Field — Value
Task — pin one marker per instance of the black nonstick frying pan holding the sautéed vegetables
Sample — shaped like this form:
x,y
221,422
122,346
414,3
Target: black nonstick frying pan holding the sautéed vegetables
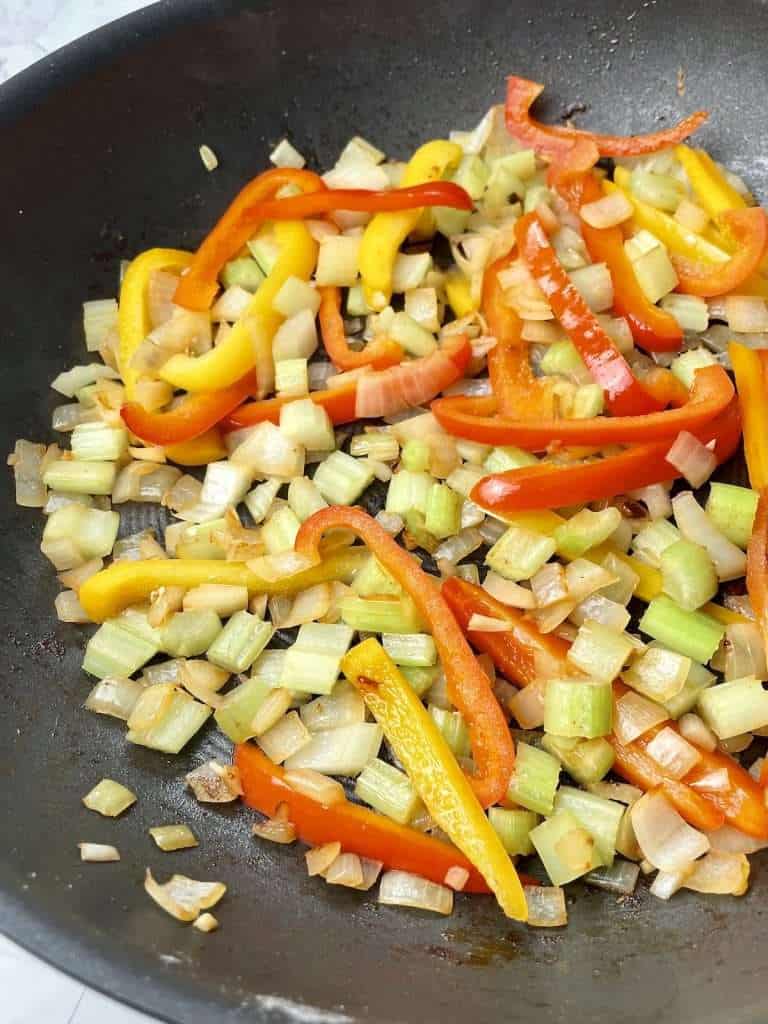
x,y
100,161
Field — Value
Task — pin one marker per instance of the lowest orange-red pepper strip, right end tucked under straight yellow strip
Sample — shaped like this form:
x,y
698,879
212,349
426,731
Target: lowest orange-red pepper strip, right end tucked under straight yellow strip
x,y
358,829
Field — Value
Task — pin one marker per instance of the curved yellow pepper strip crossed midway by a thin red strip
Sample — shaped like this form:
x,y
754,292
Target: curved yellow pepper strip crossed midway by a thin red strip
x,y
387,232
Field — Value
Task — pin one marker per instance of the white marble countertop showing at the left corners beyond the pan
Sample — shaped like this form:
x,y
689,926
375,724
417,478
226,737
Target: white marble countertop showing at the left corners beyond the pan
x,y
34,993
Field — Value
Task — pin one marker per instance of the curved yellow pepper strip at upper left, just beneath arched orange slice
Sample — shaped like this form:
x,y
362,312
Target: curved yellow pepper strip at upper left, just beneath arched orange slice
x,y
249,345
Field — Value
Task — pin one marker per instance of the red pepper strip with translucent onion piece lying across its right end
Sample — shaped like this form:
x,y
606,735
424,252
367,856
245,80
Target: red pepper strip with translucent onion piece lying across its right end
x,y
549,486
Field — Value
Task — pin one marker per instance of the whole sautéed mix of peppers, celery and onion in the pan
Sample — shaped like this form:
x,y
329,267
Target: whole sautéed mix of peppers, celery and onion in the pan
x,y
527,350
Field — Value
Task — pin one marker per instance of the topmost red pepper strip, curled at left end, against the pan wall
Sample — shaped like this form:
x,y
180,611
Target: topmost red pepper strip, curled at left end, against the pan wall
x,y
545,139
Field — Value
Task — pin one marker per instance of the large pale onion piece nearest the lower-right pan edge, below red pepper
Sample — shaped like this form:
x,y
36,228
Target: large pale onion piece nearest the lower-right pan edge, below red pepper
x,y
665,838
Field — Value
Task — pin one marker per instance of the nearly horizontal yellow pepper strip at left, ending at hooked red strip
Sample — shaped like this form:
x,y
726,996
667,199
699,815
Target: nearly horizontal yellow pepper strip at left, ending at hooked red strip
x,y
123,584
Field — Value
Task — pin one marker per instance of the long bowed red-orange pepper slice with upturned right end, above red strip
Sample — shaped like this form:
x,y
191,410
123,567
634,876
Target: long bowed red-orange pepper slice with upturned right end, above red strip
x,y
711,394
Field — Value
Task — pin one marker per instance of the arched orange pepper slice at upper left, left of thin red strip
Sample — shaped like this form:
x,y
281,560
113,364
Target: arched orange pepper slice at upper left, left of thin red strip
x,y
198,288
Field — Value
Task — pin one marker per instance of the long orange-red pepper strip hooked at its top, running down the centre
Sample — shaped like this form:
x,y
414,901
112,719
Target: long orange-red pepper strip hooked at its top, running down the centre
x,y
468,687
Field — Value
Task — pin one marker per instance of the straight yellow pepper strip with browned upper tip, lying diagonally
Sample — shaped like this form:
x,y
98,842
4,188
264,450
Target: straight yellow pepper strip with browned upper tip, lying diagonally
x,y
419,746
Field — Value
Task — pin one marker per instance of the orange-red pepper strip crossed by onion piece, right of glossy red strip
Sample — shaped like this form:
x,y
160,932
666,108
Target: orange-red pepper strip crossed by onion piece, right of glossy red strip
x,y
653,328
